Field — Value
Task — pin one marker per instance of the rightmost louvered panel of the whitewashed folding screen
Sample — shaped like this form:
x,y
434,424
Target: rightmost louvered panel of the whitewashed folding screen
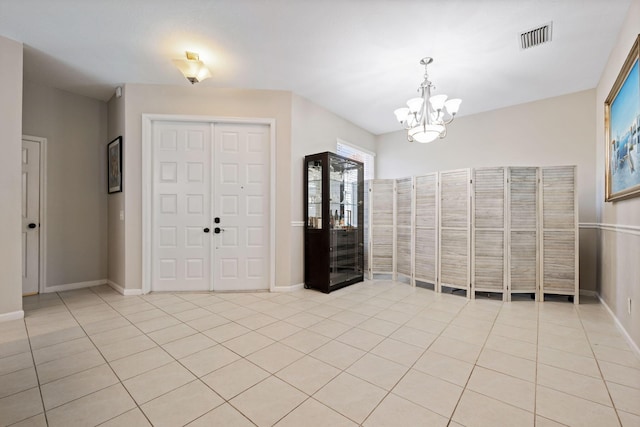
x,y
559,245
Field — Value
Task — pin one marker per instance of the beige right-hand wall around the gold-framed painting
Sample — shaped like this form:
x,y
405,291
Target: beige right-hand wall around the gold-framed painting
x,y
618,267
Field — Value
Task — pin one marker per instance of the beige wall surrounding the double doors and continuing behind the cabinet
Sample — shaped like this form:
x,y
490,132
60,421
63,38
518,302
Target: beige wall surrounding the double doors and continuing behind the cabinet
x,y
301,128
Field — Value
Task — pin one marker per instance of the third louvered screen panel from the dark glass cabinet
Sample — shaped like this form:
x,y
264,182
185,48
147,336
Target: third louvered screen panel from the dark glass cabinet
x,y
426,228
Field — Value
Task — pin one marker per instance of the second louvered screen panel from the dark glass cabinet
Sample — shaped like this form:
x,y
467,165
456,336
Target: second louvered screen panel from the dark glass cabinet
x,y
404,227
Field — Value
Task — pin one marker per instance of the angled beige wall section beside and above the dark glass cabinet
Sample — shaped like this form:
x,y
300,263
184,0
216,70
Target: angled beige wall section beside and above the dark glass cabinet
x,y
313,130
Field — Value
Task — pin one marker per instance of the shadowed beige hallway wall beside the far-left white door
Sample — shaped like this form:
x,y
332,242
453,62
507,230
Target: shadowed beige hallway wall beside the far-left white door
x,y
76,130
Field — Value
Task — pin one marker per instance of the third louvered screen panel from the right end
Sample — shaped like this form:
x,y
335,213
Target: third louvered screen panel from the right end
x,y
489,200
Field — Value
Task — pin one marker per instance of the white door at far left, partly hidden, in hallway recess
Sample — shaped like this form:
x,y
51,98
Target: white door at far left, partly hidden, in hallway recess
x,y
30,216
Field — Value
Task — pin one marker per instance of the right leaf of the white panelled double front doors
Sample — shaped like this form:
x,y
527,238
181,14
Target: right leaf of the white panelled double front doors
x,y
241,202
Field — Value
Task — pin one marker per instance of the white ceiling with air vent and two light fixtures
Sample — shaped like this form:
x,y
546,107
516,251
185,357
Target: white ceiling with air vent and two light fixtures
x,y
357,58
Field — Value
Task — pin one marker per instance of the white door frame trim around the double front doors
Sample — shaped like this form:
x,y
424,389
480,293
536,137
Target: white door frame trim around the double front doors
x,y
147,180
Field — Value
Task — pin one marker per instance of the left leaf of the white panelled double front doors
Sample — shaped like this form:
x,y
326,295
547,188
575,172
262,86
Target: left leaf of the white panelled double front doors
x,y
181,239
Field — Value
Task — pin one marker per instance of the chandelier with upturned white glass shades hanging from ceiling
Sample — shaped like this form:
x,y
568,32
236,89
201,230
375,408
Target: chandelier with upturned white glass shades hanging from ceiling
x,y
426,117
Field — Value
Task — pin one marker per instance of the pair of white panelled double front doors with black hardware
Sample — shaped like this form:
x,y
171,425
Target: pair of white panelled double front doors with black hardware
x,y
210,207
